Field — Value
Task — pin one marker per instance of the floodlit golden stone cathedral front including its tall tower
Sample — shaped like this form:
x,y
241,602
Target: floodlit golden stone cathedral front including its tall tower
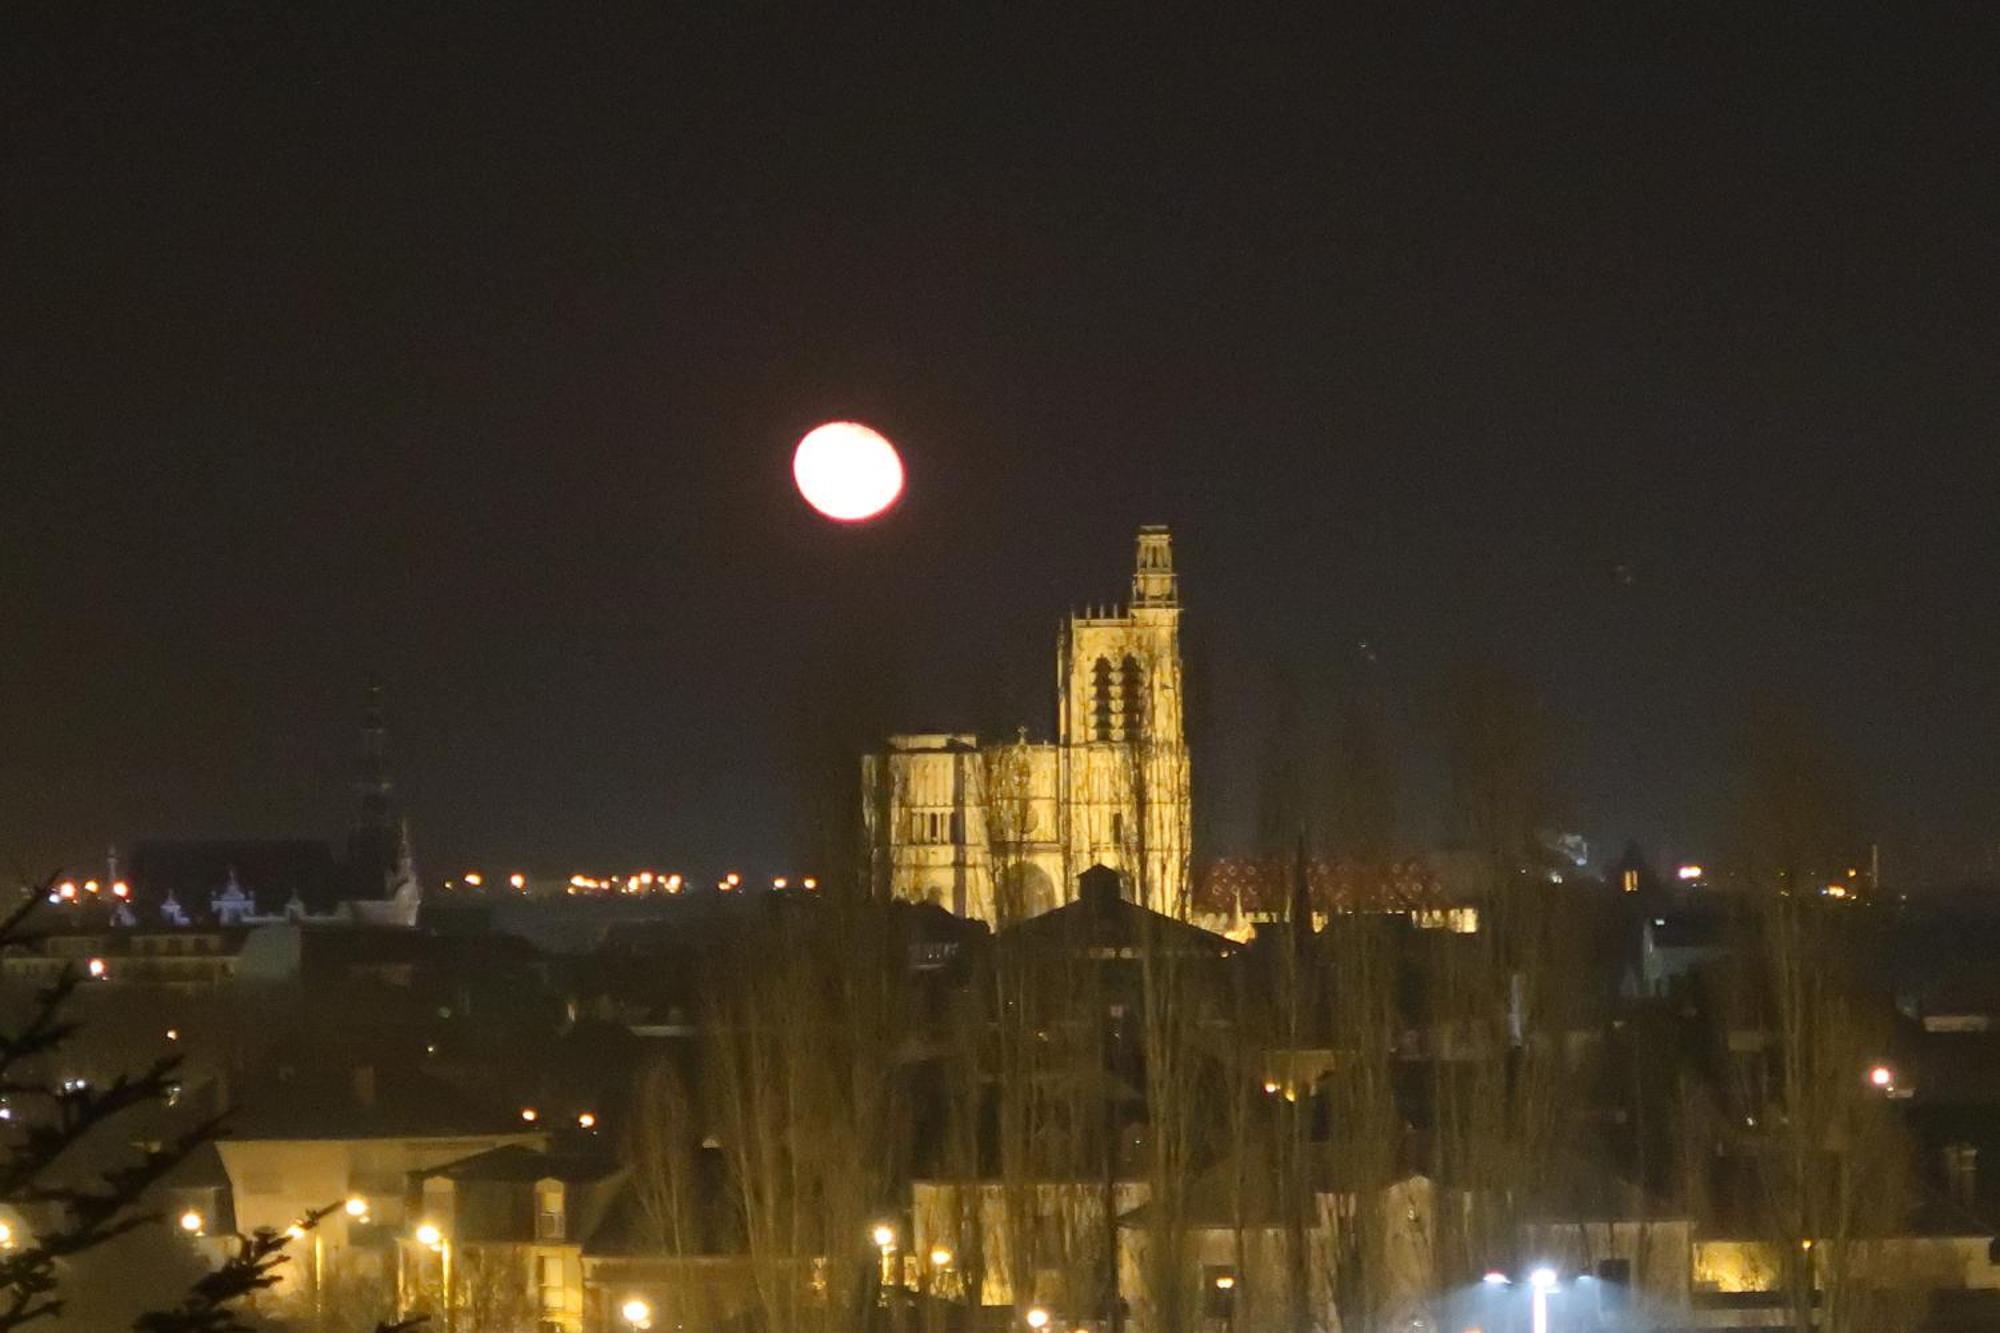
x,y
1001,832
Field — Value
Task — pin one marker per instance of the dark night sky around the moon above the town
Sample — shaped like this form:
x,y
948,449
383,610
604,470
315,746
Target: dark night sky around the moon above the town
x,y
467,349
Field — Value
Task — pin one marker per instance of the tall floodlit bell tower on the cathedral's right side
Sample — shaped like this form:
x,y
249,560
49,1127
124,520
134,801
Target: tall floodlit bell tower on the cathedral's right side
x,y
1125,752
